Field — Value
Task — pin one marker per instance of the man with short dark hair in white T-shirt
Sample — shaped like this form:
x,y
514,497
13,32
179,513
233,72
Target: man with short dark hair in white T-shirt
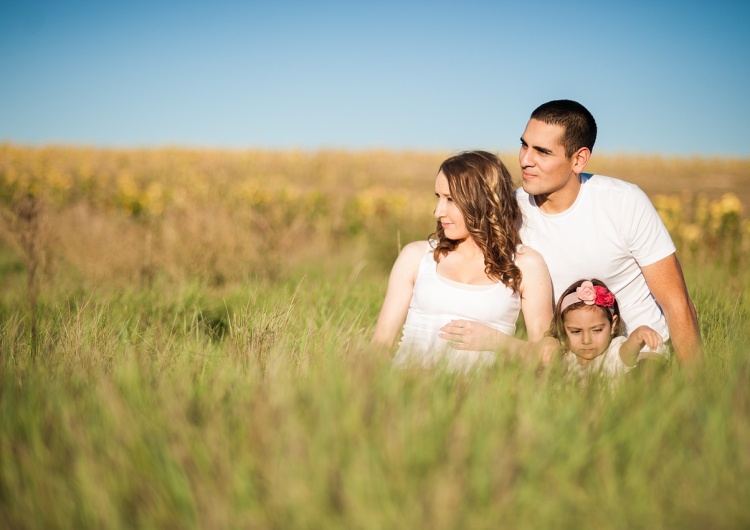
x,y
592,226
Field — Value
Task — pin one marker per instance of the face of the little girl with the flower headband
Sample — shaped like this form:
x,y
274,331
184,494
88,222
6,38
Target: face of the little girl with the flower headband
x,y
589,332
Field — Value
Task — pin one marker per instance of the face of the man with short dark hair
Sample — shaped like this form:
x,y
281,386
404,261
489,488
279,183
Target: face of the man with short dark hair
x,y
544,166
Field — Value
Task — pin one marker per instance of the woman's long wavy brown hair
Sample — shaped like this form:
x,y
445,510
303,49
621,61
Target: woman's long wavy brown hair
x,y
482,189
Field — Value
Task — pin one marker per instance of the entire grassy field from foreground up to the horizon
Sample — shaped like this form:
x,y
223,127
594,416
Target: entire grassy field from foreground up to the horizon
x,y
183,342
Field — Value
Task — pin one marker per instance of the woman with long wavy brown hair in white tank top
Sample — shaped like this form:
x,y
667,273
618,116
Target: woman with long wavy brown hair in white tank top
x,y
472,270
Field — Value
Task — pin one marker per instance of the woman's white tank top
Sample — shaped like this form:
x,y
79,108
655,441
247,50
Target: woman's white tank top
x,y
436,301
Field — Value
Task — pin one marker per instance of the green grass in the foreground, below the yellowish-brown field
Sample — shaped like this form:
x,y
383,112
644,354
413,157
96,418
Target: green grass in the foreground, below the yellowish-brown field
x,y
258,405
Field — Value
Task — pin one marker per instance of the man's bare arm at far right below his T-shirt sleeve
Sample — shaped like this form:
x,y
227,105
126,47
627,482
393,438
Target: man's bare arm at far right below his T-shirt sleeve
x,y
667,283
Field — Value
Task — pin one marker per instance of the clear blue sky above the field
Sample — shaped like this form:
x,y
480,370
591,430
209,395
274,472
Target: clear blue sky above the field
x,y
669,78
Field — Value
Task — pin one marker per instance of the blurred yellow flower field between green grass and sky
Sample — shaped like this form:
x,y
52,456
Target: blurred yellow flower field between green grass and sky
x,y
126,214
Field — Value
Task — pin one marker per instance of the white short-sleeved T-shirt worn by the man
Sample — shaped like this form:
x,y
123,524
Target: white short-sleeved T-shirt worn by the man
x,y
609,233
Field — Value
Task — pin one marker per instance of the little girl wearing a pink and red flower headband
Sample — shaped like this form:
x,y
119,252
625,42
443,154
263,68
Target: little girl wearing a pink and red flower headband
x,y
588,326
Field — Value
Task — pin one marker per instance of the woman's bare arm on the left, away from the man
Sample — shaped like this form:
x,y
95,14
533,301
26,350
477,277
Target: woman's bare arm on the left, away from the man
x,y
398,295
